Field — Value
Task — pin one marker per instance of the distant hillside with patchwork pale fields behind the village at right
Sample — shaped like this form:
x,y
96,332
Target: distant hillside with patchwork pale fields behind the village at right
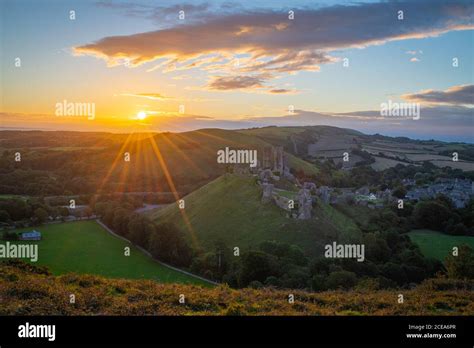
x,y
326,142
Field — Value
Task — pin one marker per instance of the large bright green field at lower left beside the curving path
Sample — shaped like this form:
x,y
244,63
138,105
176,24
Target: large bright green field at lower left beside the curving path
x,y
85,247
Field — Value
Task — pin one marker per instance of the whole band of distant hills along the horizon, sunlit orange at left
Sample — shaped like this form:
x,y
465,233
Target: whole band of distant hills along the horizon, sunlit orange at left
x,y
56,163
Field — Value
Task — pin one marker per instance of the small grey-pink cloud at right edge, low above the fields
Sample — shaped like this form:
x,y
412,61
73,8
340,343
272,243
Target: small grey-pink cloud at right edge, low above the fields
x,y
456,95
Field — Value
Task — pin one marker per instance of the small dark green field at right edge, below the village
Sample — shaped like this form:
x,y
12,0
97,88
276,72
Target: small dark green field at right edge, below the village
x,y
438,245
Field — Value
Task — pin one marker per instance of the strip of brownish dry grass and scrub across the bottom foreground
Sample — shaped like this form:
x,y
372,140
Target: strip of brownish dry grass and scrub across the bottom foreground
x,y
29,290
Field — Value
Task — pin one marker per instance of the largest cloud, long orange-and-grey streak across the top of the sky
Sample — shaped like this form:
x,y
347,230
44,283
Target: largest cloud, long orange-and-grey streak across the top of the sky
x,y
275,44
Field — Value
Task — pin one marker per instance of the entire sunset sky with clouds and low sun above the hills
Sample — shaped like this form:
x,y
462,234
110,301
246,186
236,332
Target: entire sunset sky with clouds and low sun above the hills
x,y
145,65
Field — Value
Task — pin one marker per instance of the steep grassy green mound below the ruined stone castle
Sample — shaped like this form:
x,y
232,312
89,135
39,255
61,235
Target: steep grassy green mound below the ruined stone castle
x,y
230,209
